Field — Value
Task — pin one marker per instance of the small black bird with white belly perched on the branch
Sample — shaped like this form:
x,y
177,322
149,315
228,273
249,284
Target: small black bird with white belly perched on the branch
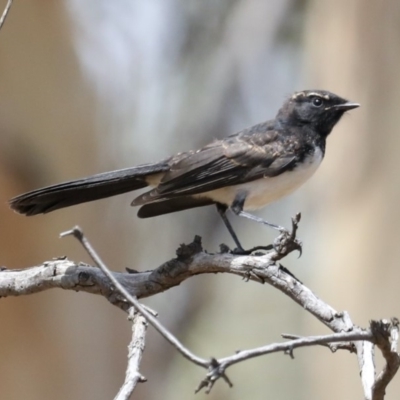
x,y
241,172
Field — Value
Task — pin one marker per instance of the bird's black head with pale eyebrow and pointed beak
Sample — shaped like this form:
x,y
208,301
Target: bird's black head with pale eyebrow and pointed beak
x,y
319,109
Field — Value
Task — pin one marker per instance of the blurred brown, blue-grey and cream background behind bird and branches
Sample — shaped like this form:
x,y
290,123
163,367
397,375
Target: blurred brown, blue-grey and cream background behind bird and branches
x,y
93,85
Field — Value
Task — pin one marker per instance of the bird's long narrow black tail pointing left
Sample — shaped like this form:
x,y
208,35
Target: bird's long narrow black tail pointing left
x,y
86,189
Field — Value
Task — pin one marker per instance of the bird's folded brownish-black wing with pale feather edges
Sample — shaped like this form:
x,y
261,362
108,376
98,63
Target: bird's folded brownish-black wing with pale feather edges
x,y
234,160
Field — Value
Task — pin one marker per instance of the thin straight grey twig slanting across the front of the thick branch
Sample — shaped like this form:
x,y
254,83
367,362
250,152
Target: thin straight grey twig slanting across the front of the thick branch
x,y
78,234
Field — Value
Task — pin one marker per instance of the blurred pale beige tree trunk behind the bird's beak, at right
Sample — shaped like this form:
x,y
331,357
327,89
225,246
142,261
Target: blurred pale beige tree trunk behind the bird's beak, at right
x,y
353,48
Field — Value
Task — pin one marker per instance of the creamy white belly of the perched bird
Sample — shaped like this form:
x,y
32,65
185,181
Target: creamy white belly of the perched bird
x,y
269,189
